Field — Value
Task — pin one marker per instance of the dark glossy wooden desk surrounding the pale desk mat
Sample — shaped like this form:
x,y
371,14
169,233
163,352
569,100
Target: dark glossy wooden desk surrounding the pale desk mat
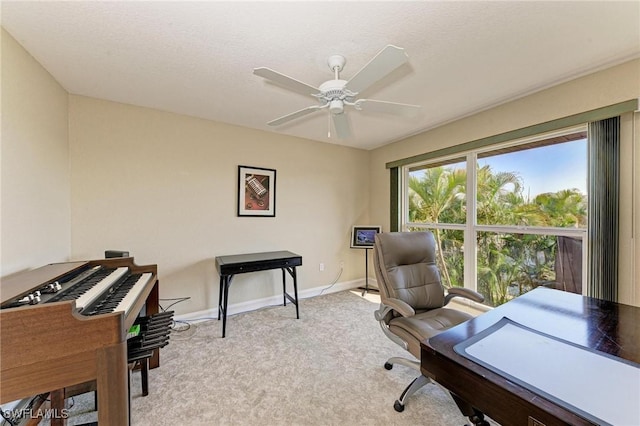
x,y
596,324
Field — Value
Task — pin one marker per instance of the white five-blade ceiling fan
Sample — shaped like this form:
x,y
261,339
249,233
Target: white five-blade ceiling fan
x,y
335,95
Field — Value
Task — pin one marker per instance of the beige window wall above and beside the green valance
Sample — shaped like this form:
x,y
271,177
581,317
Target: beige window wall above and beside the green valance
x,y
597,90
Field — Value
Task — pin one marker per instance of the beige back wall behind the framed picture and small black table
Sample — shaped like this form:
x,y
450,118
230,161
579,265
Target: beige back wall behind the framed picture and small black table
x,y
163,186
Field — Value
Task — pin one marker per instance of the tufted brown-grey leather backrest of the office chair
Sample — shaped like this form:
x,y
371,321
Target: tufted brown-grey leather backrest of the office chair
x,y
406,269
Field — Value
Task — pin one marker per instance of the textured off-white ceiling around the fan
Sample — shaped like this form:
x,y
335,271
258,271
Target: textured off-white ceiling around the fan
x,y
197,58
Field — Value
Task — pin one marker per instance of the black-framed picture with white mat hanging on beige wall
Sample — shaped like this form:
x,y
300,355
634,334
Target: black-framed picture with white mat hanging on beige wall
x,y
256,191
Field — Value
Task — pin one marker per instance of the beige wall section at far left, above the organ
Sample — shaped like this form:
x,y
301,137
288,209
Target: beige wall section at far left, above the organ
x,y
35,202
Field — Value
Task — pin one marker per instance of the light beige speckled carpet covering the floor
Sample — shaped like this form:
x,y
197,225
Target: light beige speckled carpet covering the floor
x,y
325,368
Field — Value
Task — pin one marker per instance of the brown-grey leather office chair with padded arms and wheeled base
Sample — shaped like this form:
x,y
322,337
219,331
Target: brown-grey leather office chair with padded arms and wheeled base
x,y
412,301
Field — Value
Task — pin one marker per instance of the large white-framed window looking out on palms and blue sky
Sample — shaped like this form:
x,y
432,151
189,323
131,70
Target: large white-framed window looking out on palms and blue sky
x,y
507,218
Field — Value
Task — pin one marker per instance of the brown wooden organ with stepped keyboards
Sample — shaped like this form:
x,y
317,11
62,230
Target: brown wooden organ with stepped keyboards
x,y
65,324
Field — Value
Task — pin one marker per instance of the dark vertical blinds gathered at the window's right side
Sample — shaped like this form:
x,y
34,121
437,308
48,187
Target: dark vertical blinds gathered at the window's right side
x,y
604,159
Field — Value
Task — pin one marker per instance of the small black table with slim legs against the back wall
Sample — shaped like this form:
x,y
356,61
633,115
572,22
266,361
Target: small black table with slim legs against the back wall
x,y
228,266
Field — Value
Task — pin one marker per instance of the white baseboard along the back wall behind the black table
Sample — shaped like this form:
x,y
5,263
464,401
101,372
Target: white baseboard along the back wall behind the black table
x,y
276,300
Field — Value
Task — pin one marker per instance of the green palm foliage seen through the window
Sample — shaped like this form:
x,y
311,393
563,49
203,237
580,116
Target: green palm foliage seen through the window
x,y
509,264
